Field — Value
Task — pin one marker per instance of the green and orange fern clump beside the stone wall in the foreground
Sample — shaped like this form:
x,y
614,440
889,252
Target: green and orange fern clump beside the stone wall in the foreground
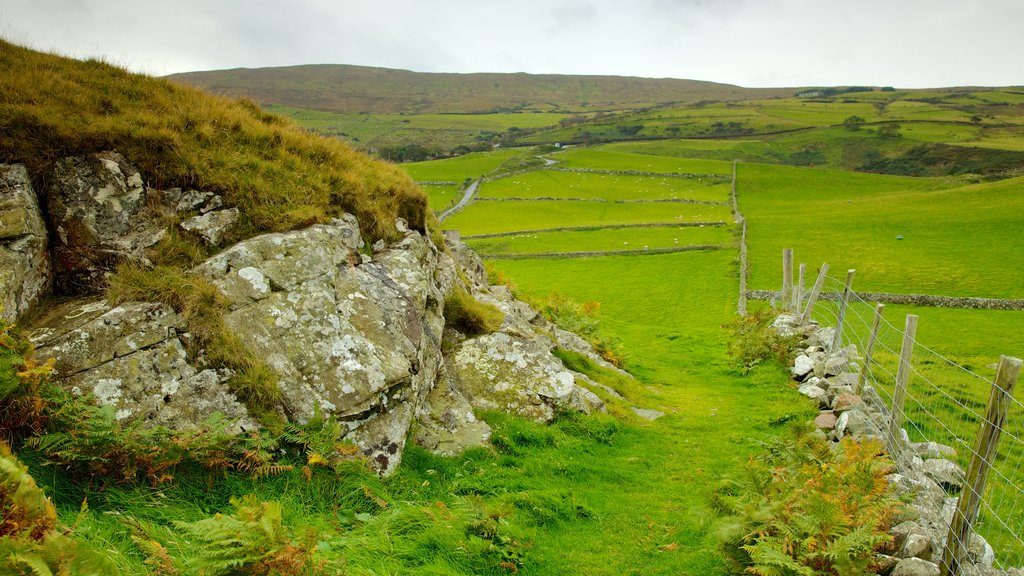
x,y
806,510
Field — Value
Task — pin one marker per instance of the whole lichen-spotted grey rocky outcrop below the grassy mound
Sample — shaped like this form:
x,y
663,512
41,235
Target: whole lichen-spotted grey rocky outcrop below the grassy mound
x,y
348,336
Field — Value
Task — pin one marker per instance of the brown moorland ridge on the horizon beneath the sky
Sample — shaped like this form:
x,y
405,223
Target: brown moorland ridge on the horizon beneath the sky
x,y
356,89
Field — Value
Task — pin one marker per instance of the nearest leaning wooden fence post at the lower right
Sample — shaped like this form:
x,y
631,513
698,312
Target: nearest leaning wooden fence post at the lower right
x,y
977,473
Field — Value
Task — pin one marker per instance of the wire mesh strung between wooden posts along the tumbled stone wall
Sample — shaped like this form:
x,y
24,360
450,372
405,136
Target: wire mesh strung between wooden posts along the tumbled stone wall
x,y
946,403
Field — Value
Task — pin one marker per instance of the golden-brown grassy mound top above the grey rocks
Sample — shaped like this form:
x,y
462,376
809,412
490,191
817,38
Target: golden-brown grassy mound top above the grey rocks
x,y
279,176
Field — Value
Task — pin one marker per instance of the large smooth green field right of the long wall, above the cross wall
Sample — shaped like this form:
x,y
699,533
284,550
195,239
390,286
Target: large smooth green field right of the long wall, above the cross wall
x,y
958,240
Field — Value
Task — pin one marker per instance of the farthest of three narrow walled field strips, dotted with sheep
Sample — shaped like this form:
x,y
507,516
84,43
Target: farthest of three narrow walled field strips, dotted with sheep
x,y
552,184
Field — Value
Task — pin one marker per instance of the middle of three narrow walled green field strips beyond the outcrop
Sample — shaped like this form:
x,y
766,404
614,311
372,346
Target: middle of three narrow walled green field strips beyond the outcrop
x,y
486,218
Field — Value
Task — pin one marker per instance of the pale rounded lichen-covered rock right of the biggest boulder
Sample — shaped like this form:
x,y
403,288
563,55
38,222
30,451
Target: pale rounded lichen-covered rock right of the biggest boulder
x,y
518,376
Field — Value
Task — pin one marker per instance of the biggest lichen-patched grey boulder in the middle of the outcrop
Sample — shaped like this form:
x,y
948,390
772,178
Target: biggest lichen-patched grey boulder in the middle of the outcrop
x,y
358,342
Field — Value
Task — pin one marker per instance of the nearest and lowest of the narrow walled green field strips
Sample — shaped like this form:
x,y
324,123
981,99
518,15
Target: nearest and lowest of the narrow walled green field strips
x,y
595,240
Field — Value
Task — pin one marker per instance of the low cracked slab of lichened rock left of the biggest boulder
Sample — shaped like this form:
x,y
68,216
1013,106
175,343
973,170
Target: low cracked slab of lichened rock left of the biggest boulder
x,y
132,358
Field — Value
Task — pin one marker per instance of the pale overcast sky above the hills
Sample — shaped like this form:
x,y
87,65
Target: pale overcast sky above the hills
x,y
905,44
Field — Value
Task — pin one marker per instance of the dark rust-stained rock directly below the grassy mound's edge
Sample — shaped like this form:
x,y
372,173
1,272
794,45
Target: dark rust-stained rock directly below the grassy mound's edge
x,y
98,208
